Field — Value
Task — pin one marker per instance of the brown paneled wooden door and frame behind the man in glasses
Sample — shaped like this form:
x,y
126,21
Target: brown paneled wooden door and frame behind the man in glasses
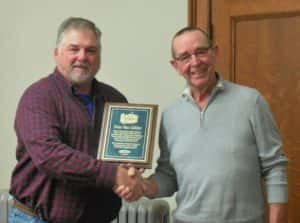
x,y
259,43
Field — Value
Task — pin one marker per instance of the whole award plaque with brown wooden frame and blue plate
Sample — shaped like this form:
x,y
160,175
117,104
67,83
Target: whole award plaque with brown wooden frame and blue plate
x,y
127,134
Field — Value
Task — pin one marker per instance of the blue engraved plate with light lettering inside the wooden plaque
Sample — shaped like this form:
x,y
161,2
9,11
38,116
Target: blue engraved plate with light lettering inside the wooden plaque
x,y
127,133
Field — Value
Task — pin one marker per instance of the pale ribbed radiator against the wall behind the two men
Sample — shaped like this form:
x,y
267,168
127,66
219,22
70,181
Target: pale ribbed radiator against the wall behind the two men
x,y
142,211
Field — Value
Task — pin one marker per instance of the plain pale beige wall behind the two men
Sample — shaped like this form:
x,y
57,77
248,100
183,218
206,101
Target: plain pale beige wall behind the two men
x,y
136,52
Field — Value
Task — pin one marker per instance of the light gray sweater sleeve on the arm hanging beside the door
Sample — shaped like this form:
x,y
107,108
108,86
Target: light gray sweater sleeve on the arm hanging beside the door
x,y
272,159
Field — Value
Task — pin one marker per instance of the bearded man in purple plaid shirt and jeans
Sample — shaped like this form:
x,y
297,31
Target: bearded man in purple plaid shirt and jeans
x,y
57,178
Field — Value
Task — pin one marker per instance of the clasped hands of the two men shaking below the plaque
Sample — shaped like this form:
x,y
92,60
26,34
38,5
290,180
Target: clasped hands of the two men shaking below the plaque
x,y
130,185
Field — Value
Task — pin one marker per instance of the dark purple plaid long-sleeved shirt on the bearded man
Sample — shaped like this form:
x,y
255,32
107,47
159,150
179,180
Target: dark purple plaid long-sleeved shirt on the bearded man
x,y
57,174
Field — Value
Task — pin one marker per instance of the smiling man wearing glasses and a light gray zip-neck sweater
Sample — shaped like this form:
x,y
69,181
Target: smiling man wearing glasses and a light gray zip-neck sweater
x,y
218,142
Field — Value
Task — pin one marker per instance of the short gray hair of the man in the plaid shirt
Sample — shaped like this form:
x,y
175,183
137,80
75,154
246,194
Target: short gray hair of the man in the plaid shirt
x,y
77,23
